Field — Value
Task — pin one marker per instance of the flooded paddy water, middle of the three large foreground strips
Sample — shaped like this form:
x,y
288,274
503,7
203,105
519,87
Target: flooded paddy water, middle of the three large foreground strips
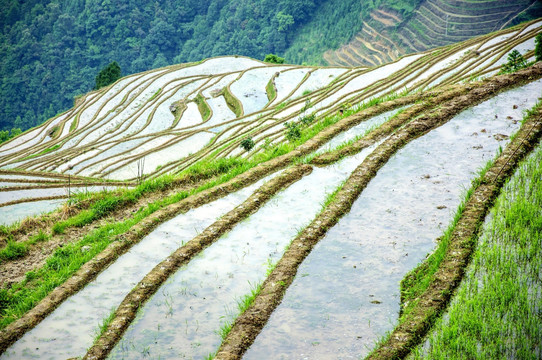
x,y
182,319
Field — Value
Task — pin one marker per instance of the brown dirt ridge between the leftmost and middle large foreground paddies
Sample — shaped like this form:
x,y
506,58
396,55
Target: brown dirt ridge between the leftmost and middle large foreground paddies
x,y
127,310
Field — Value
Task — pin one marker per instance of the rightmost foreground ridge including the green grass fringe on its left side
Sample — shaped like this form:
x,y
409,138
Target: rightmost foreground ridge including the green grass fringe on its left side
x,y
427,290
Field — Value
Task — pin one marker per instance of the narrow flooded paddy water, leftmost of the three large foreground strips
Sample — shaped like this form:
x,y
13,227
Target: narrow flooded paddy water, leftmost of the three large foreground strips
x,y
70,329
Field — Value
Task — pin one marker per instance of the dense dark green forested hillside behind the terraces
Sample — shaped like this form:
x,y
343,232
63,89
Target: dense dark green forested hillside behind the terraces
x,y
51,50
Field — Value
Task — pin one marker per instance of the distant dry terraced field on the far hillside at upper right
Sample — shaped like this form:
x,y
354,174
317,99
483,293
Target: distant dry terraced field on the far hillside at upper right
x,y
387,36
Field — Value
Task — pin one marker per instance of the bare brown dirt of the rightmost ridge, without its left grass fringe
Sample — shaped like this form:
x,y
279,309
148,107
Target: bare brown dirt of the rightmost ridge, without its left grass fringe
x,y
434,300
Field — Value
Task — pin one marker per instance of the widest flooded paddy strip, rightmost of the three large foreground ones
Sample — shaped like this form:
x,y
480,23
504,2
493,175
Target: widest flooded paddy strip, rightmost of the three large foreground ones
x,y
328,312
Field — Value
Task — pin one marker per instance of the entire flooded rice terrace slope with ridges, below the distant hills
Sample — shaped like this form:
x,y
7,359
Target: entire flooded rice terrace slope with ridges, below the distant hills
x,y
232,208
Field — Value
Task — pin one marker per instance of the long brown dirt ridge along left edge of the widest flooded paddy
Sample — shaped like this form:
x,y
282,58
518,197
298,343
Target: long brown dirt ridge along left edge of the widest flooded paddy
x,y
251,322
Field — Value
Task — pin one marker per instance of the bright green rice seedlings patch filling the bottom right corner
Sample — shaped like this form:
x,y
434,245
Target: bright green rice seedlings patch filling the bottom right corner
x,y
496,311
